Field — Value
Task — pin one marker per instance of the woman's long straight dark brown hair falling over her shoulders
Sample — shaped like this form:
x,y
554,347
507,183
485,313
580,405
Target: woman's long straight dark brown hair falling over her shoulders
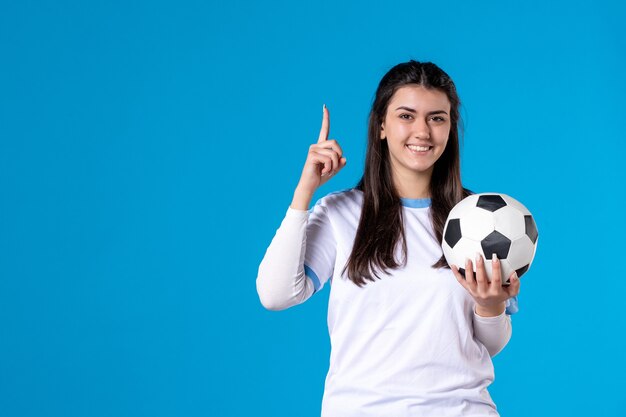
x,y
381,226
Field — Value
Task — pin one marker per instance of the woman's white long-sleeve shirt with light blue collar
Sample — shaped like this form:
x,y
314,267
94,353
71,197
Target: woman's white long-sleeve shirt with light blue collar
x,y
409,344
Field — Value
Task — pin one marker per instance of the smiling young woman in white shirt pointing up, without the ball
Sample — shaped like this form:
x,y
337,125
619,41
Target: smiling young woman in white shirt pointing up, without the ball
x,y
409,335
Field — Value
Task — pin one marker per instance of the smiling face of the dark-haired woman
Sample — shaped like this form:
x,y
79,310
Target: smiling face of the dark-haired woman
x,y
416,117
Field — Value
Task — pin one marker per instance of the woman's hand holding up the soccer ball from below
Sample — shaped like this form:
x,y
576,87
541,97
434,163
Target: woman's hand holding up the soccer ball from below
x,y
490,297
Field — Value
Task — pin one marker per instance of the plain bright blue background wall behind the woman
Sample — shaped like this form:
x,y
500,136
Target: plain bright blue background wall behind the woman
x,y
149,150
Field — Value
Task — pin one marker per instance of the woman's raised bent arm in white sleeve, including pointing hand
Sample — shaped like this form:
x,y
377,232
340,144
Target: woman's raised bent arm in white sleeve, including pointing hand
x,y
282,281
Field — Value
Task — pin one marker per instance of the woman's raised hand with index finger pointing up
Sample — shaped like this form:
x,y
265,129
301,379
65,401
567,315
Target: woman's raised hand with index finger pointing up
x,y
324,160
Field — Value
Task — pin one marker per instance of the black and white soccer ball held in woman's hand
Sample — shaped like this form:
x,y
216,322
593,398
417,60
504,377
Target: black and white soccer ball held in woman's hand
x,y
489,223
